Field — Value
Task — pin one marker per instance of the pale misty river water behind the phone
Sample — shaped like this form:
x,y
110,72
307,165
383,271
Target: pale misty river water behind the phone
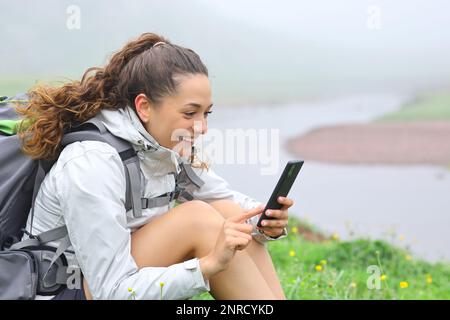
x,y
406,205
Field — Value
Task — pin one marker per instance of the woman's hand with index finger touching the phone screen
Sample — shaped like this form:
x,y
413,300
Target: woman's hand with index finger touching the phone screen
x,y
234,235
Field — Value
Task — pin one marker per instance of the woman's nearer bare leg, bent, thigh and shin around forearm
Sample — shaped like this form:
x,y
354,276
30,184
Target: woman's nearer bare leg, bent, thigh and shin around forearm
x,y
191,230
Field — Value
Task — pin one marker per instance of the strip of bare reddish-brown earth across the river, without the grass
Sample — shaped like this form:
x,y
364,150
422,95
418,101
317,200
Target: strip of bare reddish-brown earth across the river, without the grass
x,y
380,143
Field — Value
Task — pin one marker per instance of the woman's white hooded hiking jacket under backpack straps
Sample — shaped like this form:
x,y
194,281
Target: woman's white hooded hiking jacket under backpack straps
x,y
85,190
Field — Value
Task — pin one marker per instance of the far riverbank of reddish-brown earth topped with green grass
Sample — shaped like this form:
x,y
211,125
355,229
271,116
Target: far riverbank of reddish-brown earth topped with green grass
x,y
417,133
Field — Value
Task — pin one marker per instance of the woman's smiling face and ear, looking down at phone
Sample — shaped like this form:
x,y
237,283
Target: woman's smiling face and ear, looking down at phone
x,y
179,116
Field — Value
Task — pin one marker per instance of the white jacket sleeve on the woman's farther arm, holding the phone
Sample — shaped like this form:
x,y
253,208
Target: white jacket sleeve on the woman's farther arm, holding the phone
x,y
216,188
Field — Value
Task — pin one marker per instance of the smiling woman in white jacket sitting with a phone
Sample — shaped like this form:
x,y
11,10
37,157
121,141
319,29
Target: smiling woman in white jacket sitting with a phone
x,y
149,90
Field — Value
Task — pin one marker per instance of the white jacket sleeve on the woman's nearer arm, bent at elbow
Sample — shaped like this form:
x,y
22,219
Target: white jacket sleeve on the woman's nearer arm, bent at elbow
x,y
92,195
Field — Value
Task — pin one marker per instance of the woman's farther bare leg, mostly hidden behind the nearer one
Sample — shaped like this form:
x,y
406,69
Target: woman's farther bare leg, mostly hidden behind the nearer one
x,y
257,251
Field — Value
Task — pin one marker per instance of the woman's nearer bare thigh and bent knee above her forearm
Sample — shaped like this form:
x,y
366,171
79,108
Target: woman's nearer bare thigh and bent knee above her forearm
x,y
186,231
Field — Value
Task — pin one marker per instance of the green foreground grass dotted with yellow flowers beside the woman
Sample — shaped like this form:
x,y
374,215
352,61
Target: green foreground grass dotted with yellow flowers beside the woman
x,y
357,269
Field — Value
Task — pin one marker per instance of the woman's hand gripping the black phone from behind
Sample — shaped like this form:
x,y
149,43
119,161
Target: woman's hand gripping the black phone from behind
x,y
274,227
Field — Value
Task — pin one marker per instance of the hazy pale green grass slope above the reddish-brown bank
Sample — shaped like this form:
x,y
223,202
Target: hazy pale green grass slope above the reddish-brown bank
x,y
428,107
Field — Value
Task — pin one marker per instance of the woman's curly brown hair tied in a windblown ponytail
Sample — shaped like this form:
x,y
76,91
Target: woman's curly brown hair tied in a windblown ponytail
x,y
53,111
